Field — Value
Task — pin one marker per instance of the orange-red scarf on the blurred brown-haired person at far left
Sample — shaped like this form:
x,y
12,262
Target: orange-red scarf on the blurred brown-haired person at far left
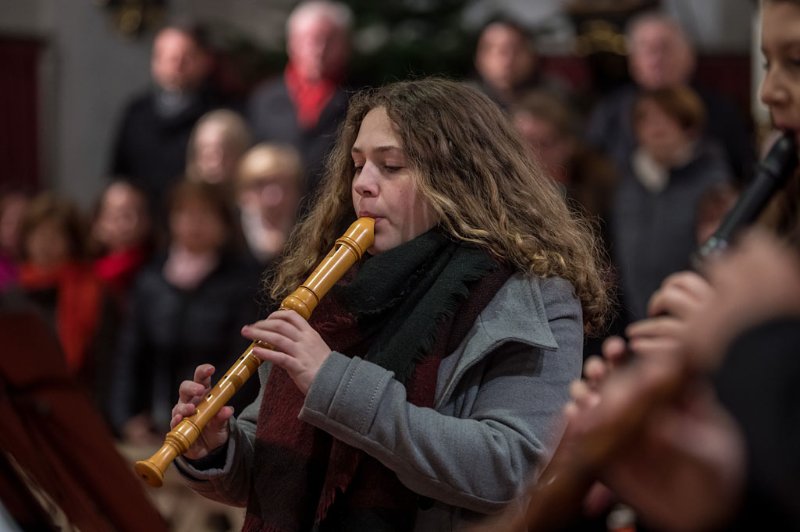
x,y
78,305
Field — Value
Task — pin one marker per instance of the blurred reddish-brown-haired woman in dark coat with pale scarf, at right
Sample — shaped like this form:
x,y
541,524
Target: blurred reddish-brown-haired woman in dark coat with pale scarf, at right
x,y
653,214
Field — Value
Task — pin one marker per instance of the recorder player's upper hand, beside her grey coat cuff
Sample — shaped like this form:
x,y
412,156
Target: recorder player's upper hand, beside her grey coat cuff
x,y
290,343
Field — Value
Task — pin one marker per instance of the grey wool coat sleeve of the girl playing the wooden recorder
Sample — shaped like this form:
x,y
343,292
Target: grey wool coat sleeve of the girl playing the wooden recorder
x,y
478,452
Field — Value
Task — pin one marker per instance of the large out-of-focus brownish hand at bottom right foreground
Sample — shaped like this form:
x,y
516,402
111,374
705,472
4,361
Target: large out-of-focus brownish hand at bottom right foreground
x,y
658,440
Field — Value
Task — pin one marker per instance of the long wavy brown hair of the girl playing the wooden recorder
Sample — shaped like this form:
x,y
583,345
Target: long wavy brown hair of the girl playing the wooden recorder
x,y
475,172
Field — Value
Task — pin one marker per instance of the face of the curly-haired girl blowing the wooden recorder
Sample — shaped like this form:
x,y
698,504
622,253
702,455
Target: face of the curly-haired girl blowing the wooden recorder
x,y
383,186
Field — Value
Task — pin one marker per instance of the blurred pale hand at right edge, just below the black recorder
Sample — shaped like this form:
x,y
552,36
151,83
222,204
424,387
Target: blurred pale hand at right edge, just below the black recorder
x,y
697,319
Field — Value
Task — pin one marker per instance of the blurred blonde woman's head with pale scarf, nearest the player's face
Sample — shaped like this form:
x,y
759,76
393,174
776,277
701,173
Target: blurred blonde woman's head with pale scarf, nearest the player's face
x,y
269,187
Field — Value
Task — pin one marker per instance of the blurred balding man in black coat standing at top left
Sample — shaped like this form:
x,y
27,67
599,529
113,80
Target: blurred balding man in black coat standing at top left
x,y
153,131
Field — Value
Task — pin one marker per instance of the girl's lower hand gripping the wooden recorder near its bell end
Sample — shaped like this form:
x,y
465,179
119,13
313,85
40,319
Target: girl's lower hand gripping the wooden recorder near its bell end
x,y
190,393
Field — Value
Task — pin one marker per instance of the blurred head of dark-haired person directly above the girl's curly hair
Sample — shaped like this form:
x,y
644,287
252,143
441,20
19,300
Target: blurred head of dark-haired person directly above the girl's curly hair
x,y
507,64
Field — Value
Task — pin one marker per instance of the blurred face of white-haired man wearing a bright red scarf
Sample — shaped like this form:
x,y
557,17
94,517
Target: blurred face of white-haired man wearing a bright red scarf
x,y
318,47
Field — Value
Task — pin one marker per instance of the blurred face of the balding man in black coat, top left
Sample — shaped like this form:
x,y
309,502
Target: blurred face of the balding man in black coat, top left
x,y
178,64
